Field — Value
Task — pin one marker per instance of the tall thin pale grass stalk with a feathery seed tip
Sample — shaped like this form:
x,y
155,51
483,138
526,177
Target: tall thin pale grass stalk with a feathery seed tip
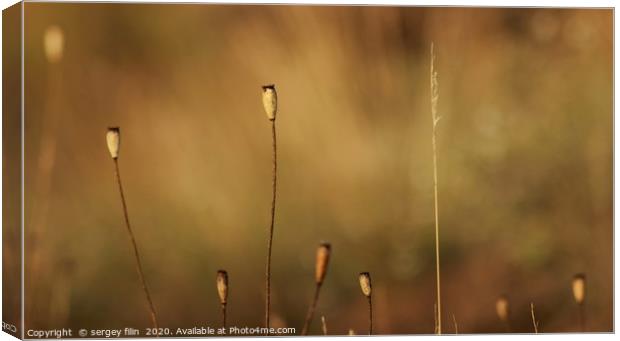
x,y
434,100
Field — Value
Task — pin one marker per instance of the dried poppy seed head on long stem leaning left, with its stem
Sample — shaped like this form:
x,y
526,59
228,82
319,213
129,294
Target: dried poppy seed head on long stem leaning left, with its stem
x,y
113,139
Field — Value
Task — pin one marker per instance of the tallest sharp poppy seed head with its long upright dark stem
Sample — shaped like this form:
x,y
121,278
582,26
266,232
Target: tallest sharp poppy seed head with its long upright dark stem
x,y
270,104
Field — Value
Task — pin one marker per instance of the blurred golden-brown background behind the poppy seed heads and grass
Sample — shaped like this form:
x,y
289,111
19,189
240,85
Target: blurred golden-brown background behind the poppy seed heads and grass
x,y
525,164
